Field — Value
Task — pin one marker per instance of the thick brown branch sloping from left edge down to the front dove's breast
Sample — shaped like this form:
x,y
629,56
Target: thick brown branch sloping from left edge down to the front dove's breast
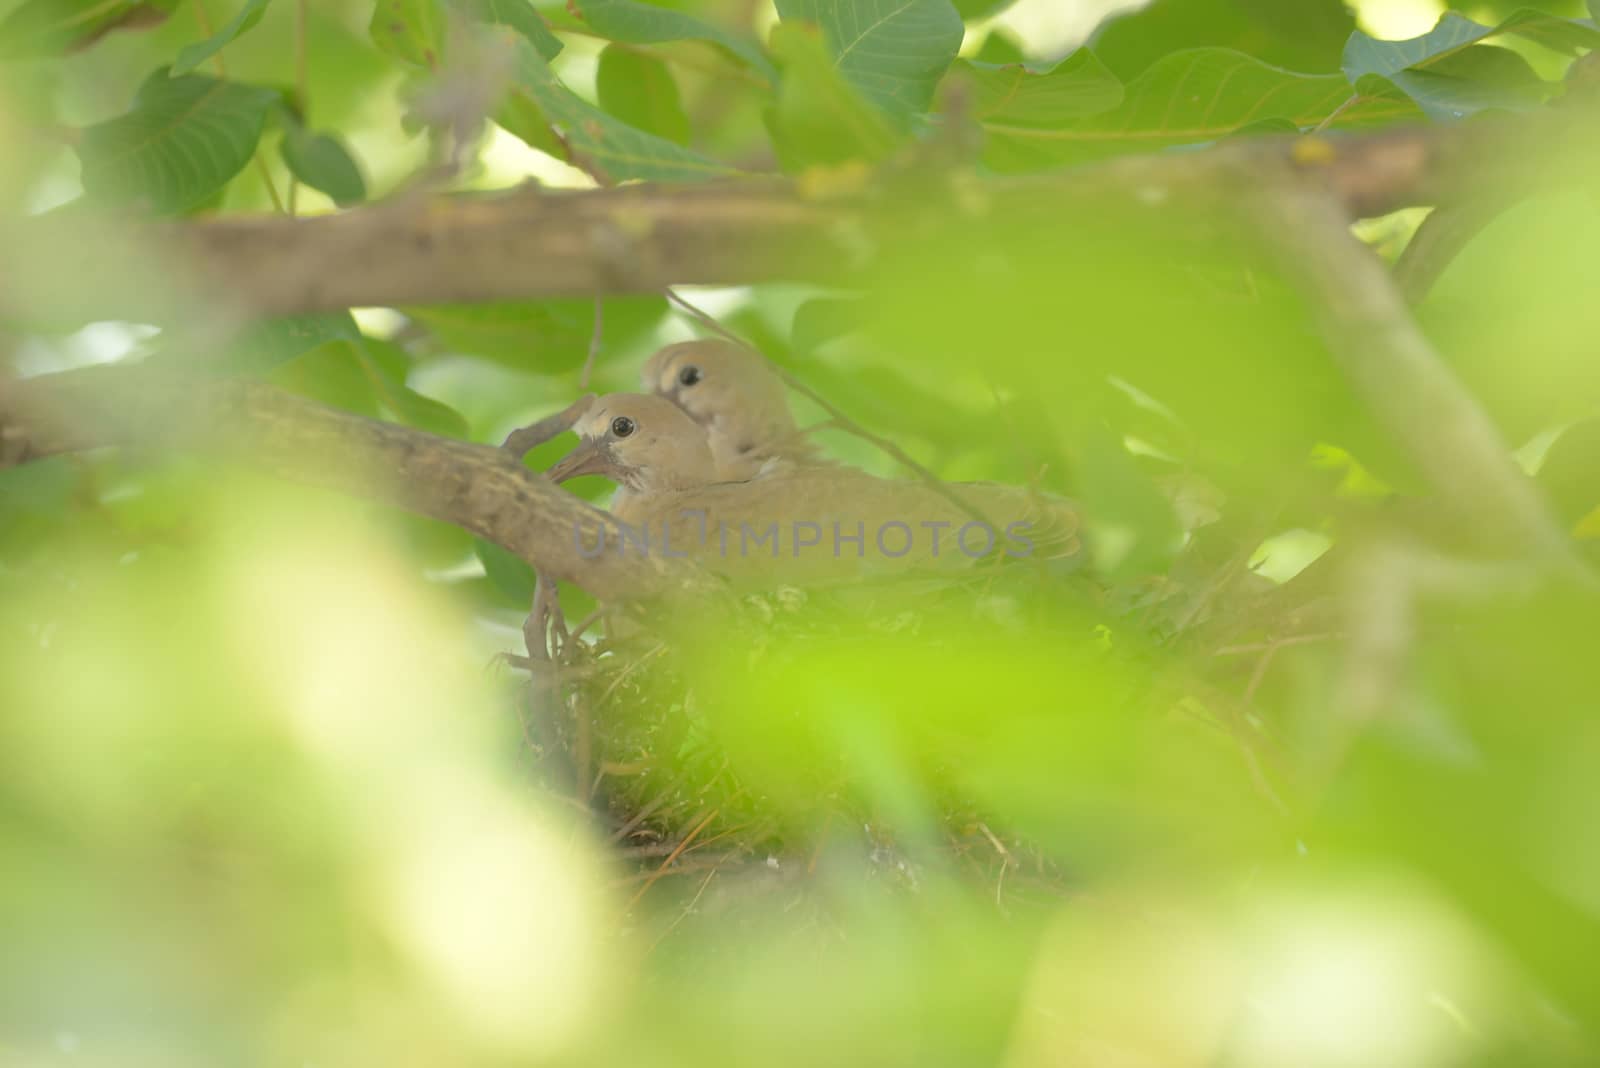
x,y
473,487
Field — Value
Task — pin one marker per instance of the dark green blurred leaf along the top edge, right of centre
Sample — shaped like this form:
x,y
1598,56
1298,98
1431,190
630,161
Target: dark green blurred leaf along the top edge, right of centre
x,y
1303,36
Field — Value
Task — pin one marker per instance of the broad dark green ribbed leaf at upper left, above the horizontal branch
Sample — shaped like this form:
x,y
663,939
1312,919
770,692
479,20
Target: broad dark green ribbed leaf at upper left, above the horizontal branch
x,y
185,140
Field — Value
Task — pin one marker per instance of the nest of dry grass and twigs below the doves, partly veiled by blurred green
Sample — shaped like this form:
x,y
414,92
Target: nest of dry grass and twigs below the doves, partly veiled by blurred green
x,y
679,813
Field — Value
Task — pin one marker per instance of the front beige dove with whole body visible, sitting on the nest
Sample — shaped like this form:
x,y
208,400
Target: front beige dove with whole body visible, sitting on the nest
x,y
793,522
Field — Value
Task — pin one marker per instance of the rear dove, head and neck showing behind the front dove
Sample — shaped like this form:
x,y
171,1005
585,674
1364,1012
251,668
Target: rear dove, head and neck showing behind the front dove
x,y
735,396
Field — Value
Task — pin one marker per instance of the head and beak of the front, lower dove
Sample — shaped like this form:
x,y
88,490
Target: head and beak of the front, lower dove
x,y
642,444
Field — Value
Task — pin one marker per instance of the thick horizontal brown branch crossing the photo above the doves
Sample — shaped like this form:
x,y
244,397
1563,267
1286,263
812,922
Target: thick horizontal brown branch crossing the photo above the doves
x,y
644,239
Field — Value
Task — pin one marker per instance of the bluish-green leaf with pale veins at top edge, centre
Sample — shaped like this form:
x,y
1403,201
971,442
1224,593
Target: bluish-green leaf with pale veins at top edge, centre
x,y
892,52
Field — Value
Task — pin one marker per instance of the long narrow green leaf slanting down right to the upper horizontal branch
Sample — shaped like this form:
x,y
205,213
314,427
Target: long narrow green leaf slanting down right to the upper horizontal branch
x,y
602,143
